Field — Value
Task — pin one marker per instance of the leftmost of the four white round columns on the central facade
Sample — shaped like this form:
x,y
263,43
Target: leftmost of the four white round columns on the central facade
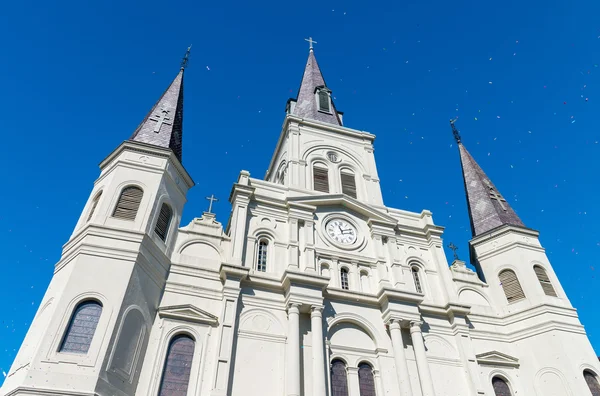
x,y
292,367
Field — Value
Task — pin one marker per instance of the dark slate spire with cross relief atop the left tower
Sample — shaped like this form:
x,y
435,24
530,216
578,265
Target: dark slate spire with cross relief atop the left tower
x,y
163,126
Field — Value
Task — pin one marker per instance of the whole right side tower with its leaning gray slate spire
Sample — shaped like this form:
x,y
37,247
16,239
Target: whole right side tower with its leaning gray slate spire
x,y
539,344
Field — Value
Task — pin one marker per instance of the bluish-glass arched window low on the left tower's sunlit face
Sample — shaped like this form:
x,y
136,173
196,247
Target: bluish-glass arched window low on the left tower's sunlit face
x,y
81,329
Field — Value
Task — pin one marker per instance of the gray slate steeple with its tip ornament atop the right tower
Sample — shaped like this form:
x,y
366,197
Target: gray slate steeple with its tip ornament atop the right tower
x,y
487,207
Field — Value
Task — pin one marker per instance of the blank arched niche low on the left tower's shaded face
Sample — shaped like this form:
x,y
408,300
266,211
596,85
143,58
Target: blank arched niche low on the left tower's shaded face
x,y
129,343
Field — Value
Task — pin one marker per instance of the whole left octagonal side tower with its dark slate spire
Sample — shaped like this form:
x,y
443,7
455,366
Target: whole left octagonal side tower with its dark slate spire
x,y
90,333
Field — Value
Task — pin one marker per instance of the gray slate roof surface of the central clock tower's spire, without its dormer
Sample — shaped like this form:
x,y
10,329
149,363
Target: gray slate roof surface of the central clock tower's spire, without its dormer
x,y
306,103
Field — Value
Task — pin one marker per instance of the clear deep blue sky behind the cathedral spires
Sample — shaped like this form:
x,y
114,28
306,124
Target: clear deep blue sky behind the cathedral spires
x,y
523,78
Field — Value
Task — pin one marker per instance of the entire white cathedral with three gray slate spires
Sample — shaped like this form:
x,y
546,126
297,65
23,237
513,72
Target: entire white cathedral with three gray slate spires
x,y
314,287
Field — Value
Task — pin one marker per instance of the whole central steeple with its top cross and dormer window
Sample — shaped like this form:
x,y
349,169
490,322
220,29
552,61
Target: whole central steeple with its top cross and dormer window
x,y
314,98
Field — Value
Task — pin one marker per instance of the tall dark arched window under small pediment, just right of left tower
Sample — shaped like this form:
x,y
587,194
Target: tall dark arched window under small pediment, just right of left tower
x,y
178,366
